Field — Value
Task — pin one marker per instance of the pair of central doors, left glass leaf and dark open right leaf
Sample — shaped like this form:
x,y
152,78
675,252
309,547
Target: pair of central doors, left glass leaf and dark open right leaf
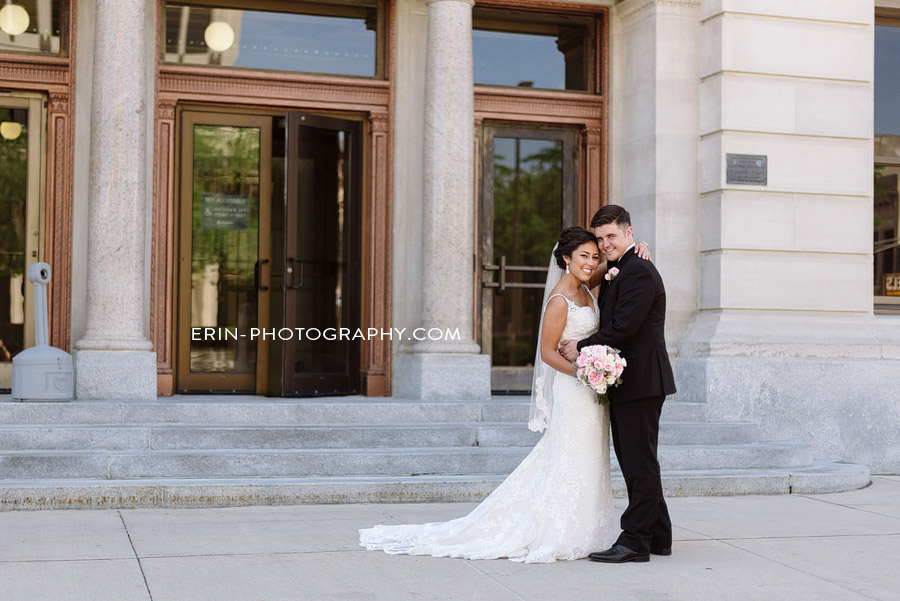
x,y
270,262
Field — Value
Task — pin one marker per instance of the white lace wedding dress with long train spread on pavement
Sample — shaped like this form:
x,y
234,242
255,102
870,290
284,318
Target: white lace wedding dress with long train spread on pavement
x,y
557,504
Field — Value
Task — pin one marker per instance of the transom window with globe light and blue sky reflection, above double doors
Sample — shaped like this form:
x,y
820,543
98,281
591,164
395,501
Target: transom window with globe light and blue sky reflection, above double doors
x,y
336,39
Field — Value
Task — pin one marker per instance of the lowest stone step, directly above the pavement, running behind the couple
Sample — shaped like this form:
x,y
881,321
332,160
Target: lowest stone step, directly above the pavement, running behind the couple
x,y
182,493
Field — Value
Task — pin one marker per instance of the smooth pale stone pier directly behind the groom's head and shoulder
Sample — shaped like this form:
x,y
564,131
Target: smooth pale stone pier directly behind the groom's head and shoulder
x,y
655,140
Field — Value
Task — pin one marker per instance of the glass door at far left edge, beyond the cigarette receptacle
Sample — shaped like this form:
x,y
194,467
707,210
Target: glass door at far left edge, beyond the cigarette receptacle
x,y
21,233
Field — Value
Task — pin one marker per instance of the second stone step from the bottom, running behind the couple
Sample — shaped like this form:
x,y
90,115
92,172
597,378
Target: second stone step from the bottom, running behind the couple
x,y
358,462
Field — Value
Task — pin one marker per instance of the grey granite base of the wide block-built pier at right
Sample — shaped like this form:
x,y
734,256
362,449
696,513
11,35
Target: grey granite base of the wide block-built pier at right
x,y
848,410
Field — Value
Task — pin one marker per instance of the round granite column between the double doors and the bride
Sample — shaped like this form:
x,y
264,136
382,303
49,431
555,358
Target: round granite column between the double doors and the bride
x,y
451,369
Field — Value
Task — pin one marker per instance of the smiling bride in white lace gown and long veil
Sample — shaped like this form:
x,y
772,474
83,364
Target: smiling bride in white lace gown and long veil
x,y
557,504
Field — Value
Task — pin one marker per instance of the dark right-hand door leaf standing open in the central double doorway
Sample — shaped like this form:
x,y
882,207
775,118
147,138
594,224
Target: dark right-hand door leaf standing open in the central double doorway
x,y
322,259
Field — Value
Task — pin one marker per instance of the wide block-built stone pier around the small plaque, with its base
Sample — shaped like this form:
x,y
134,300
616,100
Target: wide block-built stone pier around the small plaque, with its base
x,y
786,265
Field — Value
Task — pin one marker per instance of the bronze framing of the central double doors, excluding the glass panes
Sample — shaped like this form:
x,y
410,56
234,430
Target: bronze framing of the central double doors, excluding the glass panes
x,y
271,377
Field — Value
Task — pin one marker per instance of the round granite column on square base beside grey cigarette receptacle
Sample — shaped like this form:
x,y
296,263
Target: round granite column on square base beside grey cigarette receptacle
x,y
115,360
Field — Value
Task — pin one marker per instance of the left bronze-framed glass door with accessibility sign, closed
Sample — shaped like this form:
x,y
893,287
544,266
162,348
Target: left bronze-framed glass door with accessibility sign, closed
x,y
224,259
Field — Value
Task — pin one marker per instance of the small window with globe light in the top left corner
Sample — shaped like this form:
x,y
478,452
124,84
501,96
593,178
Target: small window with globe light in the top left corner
x,y
34,26
